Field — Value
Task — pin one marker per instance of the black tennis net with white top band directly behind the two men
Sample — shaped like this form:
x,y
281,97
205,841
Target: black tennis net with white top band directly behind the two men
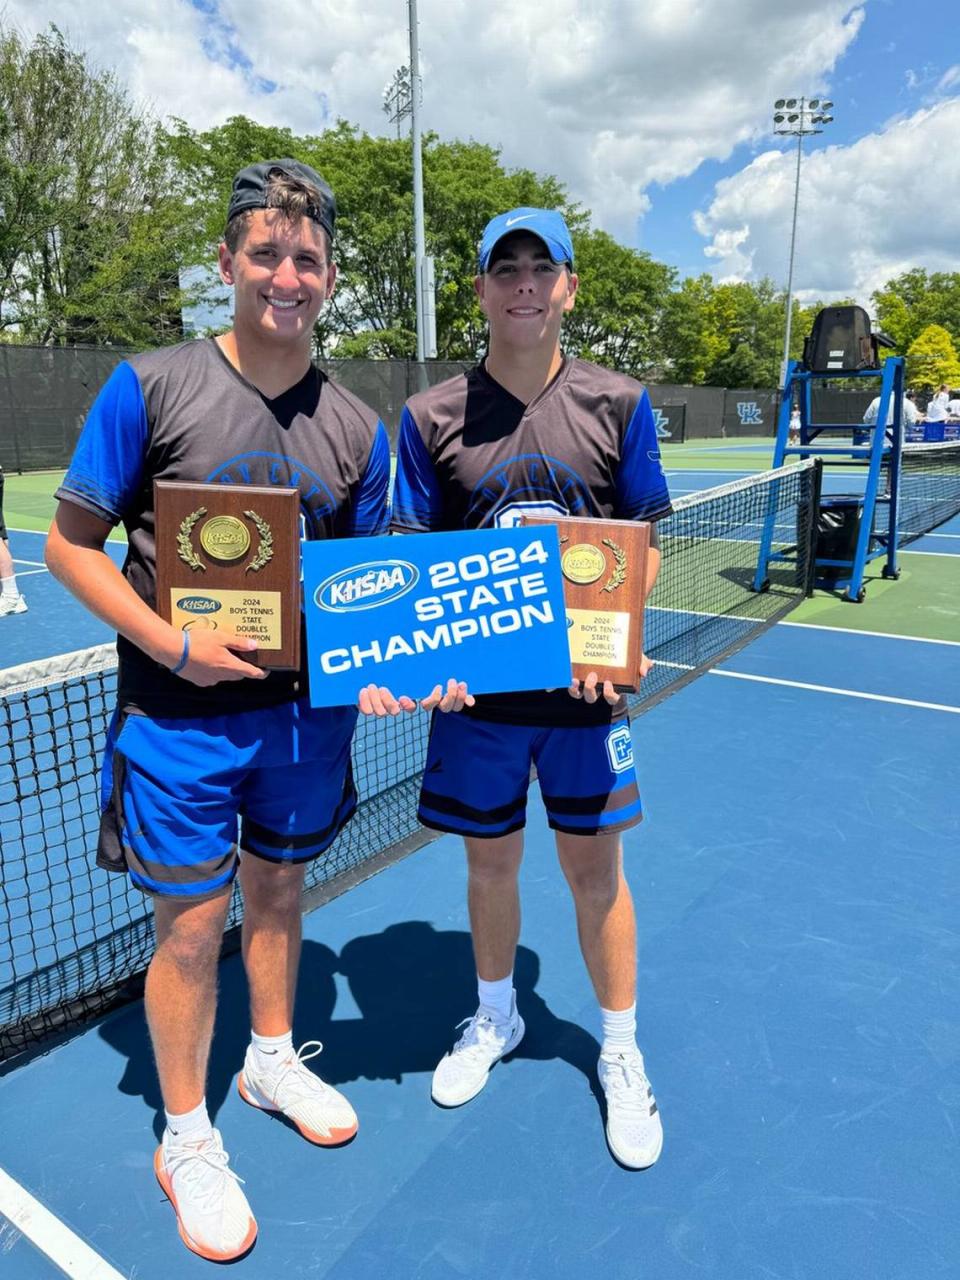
x,y
75,941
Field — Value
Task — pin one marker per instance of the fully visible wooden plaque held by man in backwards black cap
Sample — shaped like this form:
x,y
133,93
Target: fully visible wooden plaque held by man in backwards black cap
x,y
228,557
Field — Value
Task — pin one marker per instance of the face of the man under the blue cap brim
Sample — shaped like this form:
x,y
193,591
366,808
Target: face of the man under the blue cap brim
x,y
524,294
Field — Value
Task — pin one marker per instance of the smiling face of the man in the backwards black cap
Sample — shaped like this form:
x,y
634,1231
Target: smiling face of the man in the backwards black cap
x,y
281,276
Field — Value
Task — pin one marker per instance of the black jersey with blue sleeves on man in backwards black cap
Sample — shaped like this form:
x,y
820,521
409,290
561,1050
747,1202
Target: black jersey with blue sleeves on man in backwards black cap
x,y
186,414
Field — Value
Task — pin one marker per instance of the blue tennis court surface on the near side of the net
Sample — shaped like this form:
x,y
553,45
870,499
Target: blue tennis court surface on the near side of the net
x,y
796,889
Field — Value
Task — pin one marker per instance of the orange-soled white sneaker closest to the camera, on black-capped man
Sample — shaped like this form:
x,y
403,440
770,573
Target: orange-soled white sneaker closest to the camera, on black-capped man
x,y
212,1212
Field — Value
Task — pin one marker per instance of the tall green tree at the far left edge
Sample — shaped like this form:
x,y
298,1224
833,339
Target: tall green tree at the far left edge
x,y
92,221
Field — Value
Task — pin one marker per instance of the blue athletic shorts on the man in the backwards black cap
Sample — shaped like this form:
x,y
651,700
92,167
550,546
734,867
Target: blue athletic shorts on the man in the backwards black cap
x,y
173,793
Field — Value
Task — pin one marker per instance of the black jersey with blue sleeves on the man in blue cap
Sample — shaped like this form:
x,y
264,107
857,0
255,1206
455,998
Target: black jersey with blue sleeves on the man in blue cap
x,y
472,455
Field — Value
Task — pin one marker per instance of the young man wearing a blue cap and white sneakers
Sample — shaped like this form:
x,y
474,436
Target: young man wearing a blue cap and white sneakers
x,y
533,432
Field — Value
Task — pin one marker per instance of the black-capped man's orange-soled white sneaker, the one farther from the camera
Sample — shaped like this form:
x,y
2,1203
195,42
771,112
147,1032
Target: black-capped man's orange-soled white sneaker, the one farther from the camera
x,y
318,1110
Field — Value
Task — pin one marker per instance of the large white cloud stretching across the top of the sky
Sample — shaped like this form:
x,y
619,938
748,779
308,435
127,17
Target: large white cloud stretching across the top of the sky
x,y
609,95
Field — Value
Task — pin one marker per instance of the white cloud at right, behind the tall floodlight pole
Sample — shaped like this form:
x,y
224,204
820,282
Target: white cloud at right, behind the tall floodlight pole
x,y
867,212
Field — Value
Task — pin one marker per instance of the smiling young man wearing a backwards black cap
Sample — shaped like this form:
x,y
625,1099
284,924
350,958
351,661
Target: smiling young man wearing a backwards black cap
x,y
202,737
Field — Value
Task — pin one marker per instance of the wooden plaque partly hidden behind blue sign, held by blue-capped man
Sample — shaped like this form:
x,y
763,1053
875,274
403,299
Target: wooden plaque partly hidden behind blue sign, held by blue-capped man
x,y
605,575
